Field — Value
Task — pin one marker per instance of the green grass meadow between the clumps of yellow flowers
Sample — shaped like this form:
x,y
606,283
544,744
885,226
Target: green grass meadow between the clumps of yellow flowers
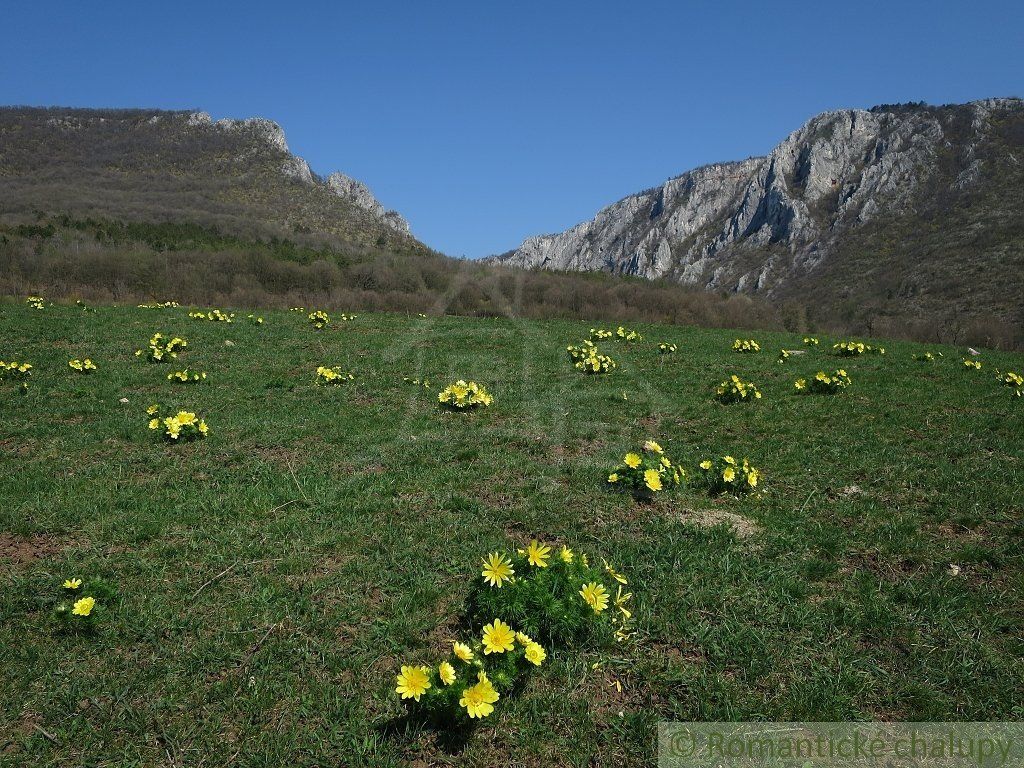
x,y
353,521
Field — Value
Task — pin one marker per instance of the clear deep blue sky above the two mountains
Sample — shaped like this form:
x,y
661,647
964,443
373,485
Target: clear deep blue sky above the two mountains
x,y
485,123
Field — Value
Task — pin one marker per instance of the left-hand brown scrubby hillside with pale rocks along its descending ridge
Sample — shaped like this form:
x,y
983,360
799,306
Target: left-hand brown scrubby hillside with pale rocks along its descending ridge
x,y
150,165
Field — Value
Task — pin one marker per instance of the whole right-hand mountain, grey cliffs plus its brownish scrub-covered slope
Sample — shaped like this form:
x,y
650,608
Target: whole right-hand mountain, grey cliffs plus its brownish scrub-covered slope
x,y
895,219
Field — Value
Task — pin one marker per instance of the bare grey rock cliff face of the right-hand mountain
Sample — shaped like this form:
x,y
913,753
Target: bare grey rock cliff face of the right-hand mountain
x,y
757,225
